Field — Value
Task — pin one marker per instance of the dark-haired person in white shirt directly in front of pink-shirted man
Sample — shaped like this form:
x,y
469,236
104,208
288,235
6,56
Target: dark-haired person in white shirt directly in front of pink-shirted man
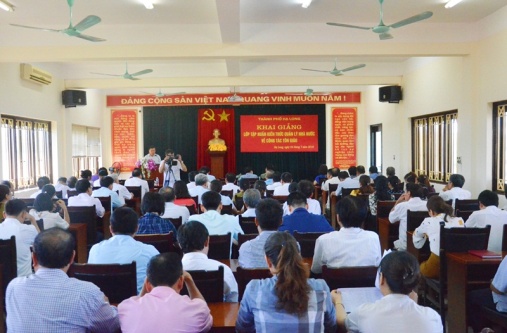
x,y
194,241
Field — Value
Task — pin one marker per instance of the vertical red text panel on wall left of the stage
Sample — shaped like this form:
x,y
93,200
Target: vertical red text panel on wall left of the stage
x,y
124,138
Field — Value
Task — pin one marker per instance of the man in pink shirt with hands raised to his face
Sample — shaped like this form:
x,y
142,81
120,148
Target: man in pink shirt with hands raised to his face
x,y
160,305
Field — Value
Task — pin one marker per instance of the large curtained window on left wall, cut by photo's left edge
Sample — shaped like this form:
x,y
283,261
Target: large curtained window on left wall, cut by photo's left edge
x,y
26,150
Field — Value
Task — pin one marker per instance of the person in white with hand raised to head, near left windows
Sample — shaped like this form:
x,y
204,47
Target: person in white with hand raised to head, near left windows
x,y
44,208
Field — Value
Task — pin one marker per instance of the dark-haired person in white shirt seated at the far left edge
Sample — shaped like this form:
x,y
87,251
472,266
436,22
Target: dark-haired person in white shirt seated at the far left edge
x,y
15,215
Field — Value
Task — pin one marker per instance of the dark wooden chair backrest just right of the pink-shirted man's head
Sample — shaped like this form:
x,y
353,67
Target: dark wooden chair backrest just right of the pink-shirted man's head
x,y
209,283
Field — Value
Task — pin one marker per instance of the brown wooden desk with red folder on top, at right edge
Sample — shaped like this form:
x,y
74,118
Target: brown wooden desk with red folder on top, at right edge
x,y
465,272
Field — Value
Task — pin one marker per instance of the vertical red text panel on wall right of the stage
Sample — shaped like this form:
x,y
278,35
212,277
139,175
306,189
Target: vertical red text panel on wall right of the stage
x,y
344,124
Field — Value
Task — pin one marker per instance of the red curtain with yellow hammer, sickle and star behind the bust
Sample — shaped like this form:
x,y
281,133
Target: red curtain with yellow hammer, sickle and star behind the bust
x,y
208,120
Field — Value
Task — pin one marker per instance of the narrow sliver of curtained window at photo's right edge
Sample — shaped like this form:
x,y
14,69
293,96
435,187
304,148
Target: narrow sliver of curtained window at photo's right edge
x,y
499,146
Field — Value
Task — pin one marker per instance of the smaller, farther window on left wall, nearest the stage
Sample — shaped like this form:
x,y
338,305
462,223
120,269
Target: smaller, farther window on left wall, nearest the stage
x,y
85,149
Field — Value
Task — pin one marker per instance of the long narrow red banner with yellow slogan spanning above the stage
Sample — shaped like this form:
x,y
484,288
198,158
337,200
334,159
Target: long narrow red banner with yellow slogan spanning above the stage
x,y
223,99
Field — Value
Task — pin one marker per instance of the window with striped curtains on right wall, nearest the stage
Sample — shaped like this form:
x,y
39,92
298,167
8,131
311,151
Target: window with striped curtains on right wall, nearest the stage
x,y
434,145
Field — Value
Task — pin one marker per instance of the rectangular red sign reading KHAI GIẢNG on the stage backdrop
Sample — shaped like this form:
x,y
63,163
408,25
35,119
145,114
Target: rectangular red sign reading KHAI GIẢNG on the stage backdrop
x,y
280,134
